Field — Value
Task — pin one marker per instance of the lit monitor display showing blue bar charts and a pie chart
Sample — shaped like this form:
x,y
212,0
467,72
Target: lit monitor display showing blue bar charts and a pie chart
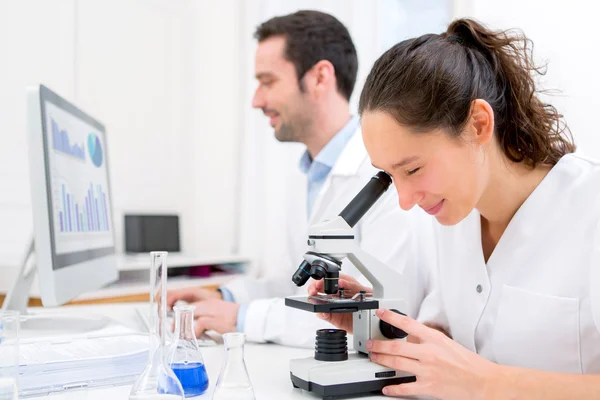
x,y
79,184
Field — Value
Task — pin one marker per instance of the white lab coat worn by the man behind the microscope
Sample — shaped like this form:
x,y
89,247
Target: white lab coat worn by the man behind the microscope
x,y
385,232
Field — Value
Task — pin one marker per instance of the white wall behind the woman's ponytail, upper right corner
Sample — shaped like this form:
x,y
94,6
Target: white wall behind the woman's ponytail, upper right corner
x,y
565,35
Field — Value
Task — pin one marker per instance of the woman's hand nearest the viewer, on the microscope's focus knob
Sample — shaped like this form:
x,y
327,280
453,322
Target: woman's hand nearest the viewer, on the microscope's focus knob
x,y
444,369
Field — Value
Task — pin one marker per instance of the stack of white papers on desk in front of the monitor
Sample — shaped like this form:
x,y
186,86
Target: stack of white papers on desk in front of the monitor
x,y
60,364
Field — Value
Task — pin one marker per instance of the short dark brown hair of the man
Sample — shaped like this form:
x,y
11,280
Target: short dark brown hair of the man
x,y
312,36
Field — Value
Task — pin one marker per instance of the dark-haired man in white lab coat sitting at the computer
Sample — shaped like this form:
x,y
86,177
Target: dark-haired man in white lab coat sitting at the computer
x,y
306,66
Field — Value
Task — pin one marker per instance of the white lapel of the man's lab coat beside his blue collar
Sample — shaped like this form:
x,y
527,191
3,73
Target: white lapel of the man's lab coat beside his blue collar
x,y
346,167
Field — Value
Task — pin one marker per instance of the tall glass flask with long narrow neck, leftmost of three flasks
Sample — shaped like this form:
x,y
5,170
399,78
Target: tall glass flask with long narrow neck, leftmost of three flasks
x,y
157,382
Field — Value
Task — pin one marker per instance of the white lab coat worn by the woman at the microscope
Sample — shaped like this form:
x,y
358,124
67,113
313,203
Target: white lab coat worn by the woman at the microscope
x,y
536,303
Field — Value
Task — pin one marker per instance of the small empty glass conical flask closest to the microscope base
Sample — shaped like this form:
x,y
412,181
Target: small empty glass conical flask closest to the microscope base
x,y
233,382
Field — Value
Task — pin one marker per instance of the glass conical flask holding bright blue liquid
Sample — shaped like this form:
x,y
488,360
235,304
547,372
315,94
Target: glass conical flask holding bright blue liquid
x,y
185,358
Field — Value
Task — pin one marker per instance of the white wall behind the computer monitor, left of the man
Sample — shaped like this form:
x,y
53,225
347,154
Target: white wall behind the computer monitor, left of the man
x,y
167,91
